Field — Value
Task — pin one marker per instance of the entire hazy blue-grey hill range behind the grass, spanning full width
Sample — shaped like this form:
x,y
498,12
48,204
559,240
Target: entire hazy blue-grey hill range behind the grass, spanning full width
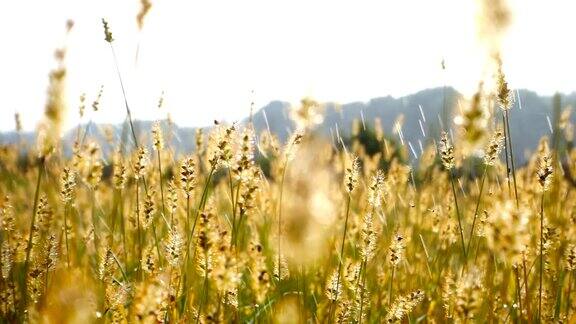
x,y
528,123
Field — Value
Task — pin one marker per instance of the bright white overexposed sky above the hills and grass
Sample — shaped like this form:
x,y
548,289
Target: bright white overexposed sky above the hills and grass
x,y
208,56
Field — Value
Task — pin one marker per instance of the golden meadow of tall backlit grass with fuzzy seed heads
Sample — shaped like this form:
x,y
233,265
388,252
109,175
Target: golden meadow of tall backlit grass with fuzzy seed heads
x,y
247,228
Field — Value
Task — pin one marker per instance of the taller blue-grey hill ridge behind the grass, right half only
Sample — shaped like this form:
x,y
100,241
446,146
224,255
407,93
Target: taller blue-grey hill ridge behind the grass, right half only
x,y
527,124
